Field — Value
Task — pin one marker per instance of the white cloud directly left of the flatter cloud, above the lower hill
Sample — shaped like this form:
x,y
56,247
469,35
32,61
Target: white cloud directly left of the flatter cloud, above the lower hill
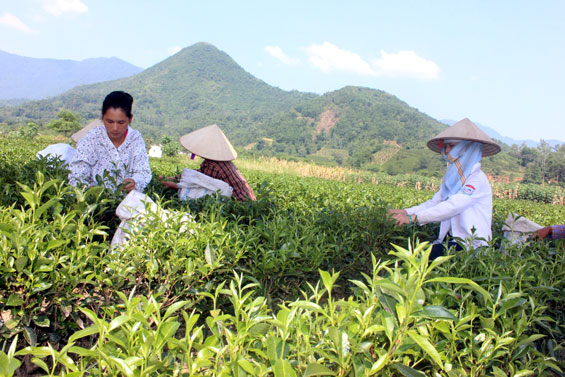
x,y
329,57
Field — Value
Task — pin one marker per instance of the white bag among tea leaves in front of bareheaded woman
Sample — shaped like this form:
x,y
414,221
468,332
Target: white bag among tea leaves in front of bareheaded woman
x,y
133,211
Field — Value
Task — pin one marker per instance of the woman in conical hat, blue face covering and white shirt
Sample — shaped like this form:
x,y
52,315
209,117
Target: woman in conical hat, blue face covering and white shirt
x,y
463,204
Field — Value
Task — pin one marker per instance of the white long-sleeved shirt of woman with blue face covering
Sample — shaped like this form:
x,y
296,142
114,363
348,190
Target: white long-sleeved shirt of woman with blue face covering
x,y
470,208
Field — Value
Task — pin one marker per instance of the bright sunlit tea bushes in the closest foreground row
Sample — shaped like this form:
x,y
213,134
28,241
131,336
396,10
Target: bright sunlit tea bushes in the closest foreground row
x,y
391,325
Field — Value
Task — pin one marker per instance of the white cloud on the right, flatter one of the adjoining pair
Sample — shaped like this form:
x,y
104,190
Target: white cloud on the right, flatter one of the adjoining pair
x,y
406,64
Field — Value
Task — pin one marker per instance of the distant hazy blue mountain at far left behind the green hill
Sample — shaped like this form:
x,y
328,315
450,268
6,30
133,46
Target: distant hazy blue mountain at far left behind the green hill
x,y
30,78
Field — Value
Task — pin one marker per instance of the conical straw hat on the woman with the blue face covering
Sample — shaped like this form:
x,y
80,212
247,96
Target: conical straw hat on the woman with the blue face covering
x,y
465,130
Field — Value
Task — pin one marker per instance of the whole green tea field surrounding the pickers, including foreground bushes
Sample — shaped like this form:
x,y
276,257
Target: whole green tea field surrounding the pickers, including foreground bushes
x,y
311,280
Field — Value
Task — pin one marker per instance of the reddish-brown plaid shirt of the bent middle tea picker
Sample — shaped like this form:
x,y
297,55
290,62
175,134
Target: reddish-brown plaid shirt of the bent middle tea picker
x,y
227,172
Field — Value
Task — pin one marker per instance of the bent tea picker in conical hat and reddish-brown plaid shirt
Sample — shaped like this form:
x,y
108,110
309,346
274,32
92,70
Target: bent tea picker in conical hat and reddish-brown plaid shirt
x,y
213,146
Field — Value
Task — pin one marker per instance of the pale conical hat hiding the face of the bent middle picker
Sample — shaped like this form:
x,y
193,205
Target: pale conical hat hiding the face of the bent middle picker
x,y
209,143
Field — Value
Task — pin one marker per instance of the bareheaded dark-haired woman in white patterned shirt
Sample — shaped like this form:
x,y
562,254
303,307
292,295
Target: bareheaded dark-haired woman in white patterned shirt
x,y
113,153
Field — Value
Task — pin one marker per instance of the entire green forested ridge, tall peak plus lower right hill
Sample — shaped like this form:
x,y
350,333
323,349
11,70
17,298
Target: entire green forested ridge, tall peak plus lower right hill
x,y
202,85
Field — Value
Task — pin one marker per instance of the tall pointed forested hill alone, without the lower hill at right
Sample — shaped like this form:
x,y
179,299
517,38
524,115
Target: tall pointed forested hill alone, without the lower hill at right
x,y
197,86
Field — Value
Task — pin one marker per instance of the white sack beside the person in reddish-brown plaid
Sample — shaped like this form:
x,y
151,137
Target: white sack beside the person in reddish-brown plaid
x,y
194,185
